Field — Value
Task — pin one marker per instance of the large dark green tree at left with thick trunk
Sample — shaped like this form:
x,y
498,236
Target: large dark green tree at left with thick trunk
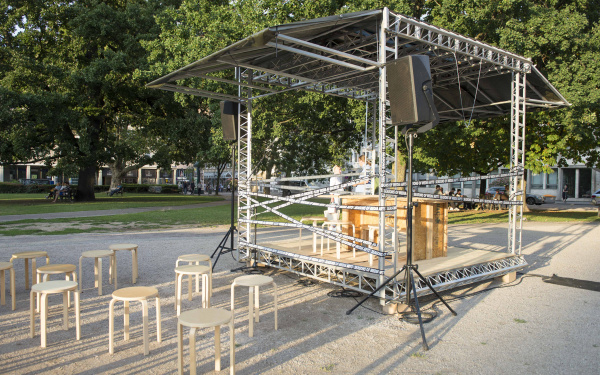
x,y
83,64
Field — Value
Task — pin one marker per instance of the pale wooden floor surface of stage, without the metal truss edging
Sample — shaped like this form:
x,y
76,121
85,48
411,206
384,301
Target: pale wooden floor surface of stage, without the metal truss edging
x,y
457,257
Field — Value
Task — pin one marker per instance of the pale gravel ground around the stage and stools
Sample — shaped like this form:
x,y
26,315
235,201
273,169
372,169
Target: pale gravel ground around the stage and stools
x,y
526,327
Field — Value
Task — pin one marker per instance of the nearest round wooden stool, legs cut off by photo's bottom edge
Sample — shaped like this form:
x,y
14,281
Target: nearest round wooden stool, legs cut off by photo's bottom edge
x,y
205,318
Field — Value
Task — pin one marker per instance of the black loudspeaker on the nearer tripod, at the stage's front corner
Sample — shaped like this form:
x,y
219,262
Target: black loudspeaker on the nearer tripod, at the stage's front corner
x,y
411,94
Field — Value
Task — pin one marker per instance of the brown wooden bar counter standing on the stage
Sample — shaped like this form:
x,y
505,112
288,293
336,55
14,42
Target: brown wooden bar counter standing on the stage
x,y
430,222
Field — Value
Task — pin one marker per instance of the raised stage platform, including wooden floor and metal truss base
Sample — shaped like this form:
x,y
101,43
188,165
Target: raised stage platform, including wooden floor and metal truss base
x,y
287,251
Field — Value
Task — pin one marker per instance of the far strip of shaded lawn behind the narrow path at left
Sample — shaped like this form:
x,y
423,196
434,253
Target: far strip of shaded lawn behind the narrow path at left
x,y
22,204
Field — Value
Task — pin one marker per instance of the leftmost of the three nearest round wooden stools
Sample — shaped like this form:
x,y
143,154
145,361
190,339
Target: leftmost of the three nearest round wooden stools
x,y
53,287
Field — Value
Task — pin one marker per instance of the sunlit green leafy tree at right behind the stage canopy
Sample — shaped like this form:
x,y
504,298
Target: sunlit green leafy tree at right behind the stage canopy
x,y
563,40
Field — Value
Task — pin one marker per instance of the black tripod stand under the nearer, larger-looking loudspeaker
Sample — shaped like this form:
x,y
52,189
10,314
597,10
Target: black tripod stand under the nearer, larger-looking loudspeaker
x,y
409,267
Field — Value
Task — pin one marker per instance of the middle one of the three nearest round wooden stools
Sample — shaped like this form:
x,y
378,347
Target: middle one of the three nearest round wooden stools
x,y
134,293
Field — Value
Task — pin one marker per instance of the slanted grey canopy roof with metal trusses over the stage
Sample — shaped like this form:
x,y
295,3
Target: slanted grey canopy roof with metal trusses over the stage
x,y
339,55
